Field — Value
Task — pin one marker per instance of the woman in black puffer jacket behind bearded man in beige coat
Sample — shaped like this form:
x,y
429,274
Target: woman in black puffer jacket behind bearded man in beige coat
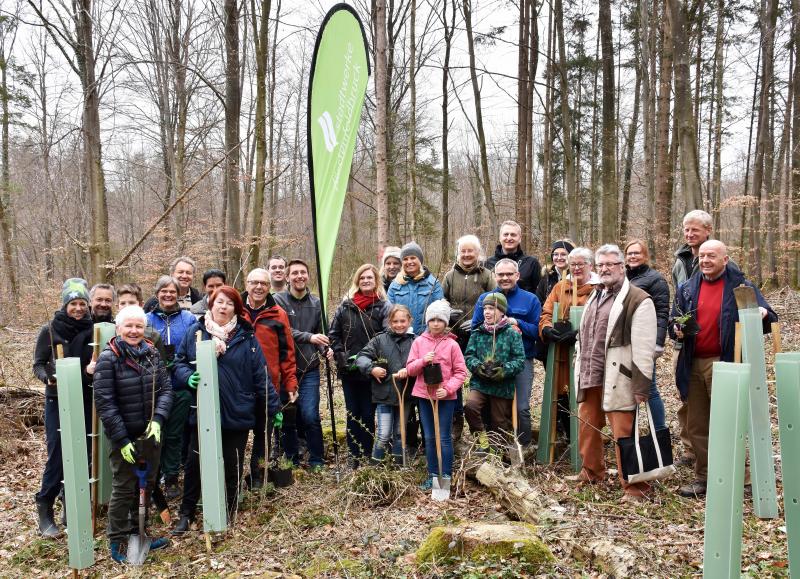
x,y
640,274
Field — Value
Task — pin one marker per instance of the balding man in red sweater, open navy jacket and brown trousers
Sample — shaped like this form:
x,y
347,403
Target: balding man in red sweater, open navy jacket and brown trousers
x,y
708,295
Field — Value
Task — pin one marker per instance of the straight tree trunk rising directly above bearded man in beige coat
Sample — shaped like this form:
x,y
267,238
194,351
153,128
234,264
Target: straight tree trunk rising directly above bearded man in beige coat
x,y
609,232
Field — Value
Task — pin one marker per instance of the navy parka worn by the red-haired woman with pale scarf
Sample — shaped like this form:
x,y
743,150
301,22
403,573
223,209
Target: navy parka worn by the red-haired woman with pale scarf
x,y
243,380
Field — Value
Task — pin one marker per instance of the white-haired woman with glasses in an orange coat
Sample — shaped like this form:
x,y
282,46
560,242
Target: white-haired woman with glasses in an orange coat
x,y
574,289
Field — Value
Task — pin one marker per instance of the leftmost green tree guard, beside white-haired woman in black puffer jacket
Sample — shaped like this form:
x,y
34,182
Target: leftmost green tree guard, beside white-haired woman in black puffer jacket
x,y
75,460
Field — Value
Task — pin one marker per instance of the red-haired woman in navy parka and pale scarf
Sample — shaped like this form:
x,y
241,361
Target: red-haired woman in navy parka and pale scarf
x,y
243,384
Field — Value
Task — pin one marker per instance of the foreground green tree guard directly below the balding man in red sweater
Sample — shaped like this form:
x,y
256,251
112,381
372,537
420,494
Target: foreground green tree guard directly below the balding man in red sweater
x,y
722,555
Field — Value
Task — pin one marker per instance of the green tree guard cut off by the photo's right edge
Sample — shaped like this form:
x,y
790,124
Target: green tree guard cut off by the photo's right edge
x,y
787,377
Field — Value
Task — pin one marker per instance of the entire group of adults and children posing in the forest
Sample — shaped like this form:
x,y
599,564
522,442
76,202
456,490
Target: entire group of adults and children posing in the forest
x,y
399,338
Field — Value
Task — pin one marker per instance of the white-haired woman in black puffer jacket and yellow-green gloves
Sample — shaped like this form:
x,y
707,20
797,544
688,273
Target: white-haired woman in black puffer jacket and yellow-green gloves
x,y
133,395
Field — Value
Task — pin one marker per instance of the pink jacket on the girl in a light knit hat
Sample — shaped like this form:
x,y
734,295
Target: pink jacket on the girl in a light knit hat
x,y
448,354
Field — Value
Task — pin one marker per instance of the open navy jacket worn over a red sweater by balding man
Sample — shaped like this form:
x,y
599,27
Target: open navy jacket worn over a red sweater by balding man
x,y
686,300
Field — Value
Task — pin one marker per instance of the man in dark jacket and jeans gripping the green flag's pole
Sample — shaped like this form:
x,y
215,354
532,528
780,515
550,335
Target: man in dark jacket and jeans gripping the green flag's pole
x,y
305,317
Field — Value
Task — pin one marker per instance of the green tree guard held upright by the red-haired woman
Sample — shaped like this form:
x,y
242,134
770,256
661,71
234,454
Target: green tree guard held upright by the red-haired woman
x,y
212,473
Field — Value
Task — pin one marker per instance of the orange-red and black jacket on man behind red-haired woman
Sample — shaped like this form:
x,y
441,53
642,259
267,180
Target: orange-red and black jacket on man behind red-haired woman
x,y
274,334
